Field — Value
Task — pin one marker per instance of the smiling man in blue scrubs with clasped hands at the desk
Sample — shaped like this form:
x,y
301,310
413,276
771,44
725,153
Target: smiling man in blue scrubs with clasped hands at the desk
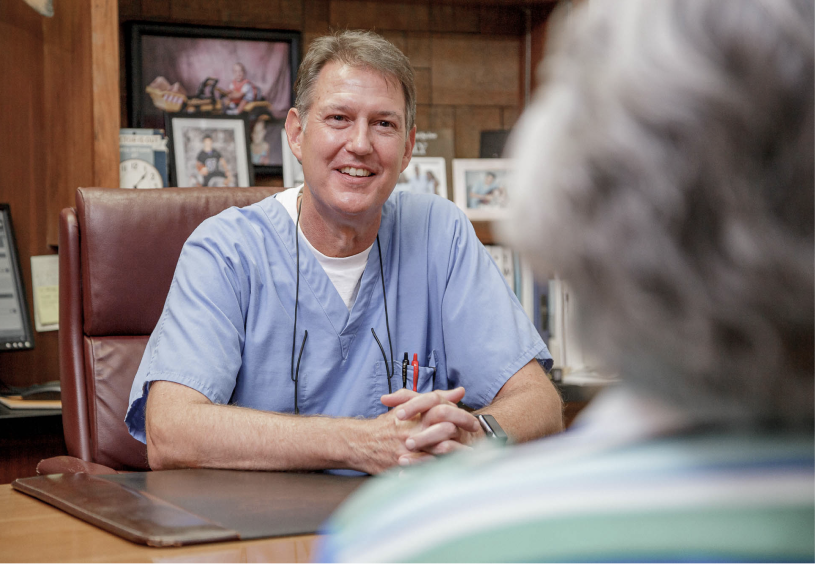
x,y
271,349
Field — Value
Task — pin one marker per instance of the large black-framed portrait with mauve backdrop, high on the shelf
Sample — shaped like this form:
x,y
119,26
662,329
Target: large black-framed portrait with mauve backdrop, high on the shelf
x,y
204,71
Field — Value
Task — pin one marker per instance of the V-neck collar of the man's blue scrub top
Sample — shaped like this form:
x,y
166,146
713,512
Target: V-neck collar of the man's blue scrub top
x,y
314,279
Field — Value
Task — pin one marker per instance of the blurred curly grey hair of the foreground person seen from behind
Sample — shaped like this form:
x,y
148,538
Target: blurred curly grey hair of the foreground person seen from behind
x,y
668,173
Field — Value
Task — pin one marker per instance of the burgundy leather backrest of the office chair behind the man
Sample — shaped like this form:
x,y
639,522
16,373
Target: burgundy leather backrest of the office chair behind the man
x,y
117,254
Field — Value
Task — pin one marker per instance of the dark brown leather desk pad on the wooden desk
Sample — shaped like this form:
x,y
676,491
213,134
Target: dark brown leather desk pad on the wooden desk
x,y
179,507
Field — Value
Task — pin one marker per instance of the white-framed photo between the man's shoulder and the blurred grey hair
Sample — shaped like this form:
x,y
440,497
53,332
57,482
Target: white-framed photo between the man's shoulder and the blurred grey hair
x,y
482,187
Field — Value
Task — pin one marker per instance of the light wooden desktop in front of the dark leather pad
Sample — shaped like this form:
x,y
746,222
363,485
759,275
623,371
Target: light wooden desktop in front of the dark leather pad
x,y
33,532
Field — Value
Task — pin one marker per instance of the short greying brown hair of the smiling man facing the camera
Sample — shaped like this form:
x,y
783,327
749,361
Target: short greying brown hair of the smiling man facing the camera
x,y
357,49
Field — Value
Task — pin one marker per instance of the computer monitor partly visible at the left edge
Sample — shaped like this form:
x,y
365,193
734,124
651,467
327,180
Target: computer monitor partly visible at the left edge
x,y
15,324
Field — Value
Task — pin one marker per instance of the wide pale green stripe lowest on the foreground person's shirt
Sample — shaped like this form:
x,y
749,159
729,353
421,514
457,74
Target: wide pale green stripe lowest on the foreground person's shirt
x,y
755,534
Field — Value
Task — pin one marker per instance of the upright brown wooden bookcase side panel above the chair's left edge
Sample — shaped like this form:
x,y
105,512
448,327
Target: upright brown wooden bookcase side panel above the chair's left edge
x,y
81,110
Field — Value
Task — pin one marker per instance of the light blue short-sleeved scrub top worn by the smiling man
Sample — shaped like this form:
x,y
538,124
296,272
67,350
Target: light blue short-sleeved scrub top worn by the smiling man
x,y
226,328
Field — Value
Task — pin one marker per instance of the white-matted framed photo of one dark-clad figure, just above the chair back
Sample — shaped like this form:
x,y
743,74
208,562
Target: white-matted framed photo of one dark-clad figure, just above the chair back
x,y
210,151
